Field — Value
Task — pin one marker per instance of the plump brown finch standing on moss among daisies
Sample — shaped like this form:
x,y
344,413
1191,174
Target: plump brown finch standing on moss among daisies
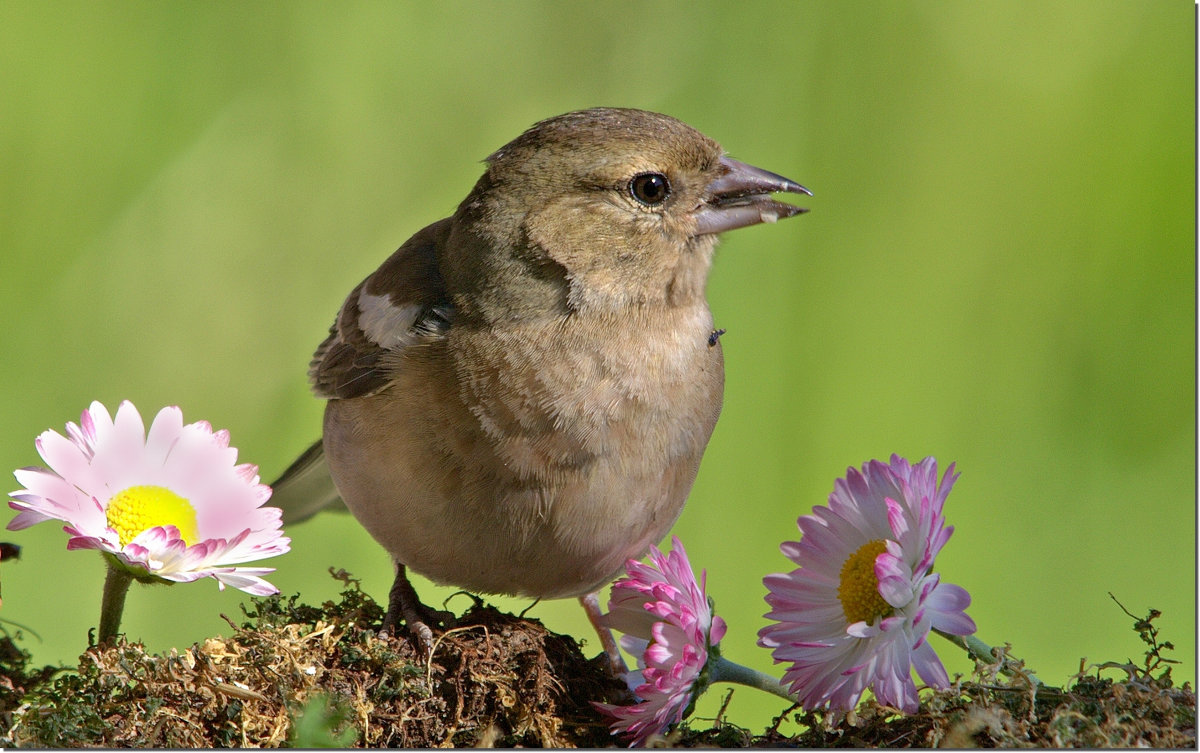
x,y
519,399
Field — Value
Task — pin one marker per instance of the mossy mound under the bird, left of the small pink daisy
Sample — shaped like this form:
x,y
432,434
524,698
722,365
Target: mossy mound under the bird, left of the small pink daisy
x,y
494,678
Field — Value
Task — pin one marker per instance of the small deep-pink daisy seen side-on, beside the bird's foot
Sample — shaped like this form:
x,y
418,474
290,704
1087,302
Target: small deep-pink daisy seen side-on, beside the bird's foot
x,y
670,627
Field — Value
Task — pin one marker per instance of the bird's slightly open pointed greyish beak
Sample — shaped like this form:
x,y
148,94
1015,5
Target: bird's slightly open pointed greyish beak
x,y
741,197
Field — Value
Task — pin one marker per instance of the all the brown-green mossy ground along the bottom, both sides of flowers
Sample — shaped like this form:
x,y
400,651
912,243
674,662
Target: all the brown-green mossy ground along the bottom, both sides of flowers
x,y
320,677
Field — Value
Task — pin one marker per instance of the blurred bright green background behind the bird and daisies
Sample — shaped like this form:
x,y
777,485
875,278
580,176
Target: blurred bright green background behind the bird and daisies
x,y
999,269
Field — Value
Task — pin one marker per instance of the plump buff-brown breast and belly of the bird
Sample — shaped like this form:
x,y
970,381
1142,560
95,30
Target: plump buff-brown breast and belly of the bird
x,y
537,459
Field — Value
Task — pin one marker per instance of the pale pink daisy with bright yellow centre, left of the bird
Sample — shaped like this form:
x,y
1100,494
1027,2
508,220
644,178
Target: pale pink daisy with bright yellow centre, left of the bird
x,y
173,505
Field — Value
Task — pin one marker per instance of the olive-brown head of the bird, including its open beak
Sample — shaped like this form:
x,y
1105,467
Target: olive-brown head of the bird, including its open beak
x,y
621,207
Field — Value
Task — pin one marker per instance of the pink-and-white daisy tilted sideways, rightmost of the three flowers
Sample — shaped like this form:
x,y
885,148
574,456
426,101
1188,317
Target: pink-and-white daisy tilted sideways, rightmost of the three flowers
x,y
859,610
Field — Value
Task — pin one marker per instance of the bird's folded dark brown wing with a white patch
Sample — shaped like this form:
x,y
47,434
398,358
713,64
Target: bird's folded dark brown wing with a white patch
x,y
401,304
